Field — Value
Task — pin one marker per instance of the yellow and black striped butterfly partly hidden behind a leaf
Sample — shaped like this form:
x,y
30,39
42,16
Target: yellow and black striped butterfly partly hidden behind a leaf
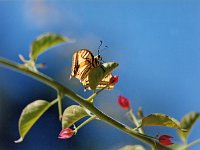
x,y
83,62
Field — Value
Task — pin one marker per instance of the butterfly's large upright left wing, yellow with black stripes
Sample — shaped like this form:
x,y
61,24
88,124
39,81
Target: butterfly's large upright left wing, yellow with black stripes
x,y
82,62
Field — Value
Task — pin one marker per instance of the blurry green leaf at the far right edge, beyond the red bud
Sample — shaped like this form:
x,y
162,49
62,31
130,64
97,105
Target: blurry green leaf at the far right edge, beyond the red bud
x,y
186,123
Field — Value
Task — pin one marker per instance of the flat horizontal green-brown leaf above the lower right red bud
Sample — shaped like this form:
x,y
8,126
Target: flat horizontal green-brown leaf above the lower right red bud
x,y
160,120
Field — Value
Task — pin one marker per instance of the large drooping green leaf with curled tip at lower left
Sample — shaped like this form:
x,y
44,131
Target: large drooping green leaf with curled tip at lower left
x,y
30,114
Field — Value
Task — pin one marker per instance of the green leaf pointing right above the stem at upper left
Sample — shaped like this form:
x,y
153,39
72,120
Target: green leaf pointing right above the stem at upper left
x,y
44,42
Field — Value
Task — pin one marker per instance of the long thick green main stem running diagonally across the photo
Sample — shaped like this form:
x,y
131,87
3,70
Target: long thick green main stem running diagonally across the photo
x,y
67,92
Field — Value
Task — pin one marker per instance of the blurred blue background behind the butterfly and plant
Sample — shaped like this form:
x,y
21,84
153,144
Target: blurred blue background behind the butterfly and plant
x,y
156,44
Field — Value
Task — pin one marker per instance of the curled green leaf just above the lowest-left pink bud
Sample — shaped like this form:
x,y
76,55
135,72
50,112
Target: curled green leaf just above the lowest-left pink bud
x,y
72,114
